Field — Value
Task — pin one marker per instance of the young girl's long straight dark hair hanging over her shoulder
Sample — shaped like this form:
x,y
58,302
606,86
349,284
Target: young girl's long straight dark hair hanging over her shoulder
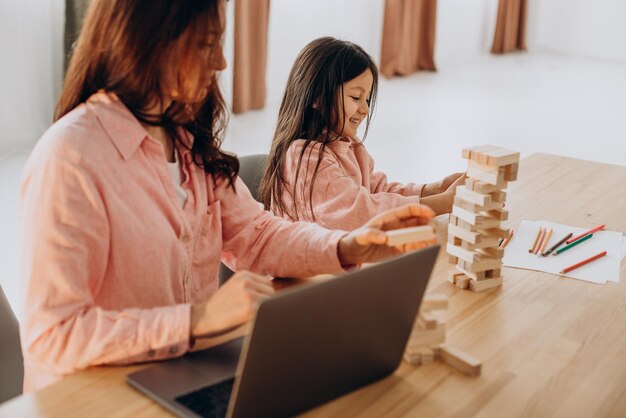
x,y
317,76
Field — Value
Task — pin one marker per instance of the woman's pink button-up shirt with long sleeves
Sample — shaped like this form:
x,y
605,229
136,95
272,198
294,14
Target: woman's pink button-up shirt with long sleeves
x,y
112,263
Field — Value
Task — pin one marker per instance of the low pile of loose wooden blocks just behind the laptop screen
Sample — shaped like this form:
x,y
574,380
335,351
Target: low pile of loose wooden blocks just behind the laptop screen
x,y
426,343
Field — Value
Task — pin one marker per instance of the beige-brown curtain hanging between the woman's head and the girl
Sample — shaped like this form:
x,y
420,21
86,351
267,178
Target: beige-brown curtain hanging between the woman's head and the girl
x,y
249,66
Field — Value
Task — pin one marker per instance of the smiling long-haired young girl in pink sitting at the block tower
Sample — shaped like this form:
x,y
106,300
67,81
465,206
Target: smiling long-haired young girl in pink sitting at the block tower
x,y
318,169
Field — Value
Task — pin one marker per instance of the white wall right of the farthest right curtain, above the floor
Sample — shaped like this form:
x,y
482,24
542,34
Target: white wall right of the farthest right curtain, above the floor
x,y
583,28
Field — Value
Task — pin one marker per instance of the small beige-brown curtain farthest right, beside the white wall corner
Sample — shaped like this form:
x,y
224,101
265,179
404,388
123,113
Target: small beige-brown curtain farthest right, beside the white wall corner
x,y
510,27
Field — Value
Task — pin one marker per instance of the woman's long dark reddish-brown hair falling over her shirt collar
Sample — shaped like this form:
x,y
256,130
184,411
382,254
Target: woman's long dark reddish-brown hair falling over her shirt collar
x,y
122,49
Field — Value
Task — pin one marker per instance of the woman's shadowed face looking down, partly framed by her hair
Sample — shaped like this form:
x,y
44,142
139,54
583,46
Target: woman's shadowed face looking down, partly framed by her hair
x,y
196,57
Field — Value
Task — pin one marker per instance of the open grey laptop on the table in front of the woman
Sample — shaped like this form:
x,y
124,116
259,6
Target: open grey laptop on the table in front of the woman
x,y
308,345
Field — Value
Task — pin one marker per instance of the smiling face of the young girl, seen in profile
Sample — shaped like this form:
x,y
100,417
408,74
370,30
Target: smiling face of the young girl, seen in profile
x,y
355,98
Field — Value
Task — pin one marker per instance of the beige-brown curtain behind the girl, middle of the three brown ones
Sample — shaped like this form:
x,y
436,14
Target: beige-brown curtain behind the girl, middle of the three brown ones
x,y
408,37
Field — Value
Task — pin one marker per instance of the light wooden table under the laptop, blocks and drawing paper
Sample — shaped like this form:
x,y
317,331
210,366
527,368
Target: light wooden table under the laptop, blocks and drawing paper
x,y
550,346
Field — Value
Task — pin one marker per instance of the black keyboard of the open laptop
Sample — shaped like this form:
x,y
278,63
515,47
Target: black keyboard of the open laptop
x,y
211,401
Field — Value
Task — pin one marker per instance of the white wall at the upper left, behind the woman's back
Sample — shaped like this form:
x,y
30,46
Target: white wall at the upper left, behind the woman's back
x,y
30,67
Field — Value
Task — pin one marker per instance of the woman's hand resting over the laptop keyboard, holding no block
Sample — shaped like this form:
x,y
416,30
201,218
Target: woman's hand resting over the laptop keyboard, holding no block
x,y
233,304
